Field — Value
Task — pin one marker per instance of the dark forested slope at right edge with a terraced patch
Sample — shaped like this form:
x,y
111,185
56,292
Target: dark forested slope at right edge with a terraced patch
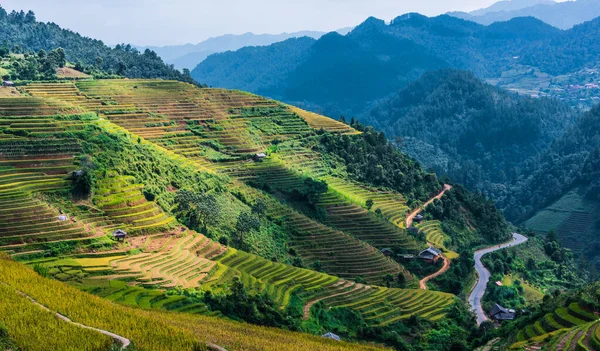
x,y
564,187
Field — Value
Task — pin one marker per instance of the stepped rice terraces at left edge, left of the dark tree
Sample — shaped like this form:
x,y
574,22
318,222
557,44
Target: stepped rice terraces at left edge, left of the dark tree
x,y
36,155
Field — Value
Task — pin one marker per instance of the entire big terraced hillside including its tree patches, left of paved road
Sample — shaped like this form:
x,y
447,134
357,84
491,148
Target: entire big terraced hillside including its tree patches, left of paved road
x,y
293,240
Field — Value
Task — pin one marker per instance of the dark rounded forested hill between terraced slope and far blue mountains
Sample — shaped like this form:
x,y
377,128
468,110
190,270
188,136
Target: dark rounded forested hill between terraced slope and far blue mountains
x,y
481,136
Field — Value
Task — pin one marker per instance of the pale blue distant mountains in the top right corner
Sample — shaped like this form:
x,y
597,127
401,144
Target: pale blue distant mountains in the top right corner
x,y
562,15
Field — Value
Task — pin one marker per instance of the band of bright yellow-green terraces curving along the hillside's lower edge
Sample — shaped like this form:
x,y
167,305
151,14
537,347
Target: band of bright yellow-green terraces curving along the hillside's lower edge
x,y
192,260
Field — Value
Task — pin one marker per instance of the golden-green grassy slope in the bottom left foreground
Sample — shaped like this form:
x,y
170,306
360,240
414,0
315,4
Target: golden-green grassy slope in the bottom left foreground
x,y
147,330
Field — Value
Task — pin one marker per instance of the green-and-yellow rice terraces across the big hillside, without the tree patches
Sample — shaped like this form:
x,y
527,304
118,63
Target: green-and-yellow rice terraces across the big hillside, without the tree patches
x,y
49,133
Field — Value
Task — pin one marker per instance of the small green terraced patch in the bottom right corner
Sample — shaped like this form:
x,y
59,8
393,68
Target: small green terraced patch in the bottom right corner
x,y
566,317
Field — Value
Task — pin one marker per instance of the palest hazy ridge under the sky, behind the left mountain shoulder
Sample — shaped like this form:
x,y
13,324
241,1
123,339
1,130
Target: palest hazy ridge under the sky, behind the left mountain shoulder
x,y
190,55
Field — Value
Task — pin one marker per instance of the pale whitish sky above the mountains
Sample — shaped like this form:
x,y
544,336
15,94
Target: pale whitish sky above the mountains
x,y
174,22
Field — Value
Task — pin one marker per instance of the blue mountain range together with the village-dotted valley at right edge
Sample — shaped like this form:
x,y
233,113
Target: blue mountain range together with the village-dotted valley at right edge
x,y
386,58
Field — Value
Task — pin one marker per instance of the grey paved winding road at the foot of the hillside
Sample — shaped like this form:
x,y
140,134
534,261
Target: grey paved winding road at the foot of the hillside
x,y
484,275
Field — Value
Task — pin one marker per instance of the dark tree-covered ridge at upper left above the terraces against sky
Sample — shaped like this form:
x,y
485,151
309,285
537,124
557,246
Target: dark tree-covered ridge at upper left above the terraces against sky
x,y
22,33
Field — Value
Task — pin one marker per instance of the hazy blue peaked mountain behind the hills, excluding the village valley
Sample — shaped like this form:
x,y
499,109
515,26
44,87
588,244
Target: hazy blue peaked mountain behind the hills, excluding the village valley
x,y
345,74
